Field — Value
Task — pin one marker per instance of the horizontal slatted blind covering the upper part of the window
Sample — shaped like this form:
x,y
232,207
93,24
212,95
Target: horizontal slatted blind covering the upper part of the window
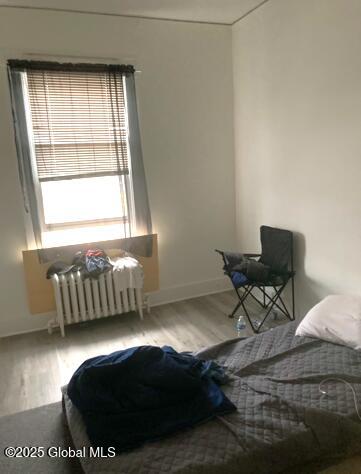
x,y
79,123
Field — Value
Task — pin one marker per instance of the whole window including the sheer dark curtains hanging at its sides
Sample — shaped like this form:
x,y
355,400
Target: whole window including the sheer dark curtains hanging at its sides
x,y
76,165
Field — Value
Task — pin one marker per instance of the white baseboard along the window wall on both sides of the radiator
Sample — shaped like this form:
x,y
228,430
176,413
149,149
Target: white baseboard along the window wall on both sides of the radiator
x,y
164,296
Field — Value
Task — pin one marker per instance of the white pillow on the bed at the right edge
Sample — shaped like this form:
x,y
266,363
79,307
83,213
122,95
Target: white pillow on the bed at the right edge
x,y
337,318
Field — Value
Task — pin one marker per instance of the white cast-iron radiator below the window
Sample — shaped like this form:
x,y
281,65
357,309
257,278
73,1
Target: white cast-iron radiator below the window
x,y
117,291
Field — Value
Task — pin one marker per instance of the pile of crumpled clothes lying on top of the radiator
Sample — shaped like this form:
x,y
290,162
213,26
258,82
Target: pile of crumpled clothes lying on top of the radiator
x,y
92,263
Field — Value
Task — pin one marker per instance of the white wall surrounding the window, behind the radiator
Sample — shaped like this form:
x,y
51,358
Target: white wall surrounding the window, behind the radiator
x,y
185,100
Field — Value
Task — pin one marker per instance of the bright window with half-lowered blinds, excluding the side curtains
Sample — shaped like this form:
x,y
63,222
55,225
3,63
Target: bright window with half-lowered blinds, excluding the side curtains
x,y
77,124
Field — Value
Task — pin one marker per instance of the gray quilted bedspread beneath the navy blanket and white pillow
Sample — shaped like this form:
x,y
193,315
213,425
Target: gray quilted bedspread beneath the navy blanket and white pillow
x,y
282,421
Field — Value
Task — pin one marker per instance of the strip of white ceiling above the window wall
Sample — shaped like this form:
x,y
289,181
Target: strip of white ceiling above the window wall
x,y
208,11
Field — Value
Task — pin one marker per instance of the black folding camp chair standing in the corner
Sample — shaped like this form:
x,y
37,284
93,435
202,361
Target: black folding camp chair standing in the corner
x,y
277,259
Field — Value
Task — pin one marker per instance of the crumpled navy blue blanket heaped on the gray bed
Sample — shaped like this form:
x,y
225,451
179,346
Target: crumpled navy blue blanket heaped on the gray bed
x,y
145,393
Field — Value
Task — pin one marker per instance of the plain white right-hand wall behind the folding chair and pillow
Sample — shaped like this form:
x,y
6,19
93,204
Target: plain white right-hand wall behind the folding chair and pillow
x,y
297,80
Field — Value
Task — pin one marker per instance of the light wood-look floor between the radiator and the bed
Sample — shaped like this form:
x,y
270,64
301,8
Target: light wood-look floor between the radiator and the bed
x,y
34,366
